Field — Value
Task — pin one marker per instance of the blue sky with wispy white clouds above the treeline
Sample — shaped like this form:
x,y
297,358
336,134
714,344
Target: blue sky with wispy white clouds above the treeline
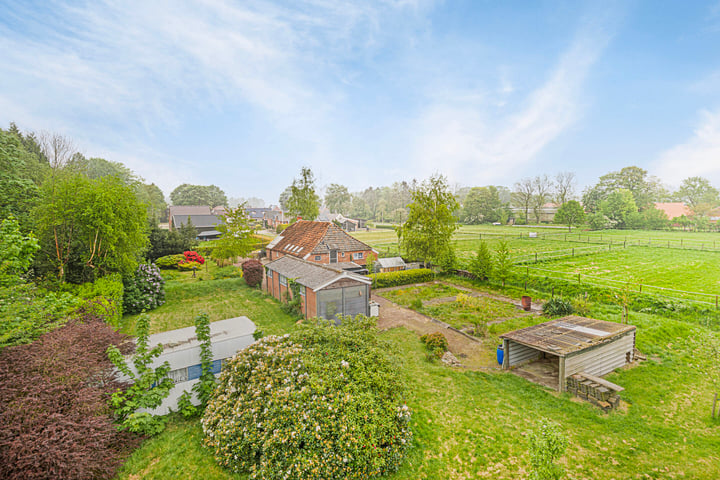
x,y
368,92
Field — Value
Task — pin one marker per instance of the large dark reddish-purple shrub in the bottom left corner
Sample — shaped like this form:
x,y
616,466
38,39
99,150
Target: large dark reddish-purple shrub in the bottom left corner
x,y
55,421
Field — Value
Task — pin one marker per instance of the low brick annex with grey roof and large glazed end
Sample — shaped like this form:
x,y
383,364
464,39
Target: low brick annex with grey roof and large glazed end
x,y
326,290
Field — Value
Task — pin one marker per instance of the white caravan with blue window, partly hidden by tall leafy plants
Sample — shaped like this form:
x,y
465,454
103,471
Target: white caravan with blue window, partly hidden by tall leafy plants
x,y
181,349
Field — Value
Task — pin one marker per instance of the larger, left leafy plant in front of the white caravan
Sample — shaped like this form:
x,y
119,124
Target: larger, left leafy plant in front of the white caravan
x,y
149,385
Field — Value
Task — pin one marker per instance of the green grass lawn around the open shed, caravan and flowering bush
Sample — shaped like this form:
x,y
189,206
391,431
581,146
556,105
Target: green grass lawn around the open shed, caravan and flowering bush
x,y
471,424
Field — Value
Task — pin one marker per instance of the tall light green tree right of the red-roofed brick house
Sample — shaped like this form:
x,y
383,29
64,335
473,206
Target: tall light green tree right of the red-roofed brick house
x,y
427,232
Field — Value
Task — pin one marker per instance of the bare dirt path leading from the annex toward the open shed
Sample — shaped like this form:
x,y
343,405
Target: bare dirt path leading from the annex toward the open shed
x,y
470,352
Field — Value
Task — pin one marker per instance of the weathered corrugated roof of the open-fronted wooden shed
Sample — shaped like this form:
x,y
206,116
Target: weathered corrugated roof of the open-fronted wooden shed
x,y
568,334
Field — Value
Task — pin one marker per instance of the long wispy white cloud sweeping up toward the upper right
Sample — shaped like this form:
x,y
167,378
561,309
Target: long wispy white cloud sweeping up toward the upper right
x,y
479,145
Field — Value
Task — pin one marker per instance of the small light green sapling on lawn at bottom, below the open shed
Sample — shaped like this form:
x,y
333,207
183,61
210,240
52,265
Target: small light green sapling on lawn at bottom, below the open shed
x,y
547,444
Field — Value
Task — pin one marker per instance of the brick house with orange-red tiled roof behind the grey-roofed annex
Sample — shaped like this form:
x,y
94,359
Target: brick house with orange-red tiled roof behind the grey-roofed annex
x,y
320,242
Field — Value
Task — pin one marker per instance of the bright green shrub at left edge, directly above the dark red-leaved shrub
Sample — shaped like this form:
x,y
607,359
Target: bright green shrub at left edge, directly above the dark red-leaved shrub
x,y
28,311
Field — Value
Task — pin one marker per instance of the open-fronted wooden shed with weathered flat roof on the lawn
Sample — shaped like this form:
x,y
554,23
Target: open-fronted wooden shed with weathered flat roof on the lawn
x,y
550,352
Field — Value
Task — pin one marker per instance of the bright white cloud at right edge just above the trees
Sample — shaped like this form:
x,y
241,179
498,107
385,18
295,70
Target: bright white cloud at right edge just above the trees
x,y
698,156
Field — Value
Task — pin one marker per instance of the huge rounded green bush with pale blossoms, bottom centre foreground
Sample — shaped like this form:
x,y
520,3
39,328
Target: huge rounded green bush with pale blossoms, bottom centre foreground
x,y
322,403
